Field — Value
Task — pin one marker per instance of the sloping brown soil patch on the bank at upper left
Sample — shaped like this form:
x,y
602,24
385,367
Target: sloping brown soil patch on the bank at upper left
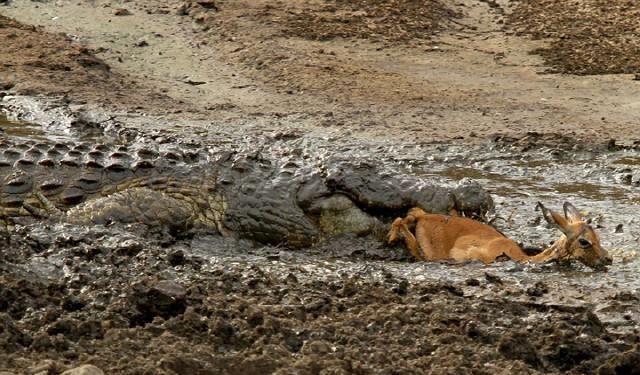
x,y
37,62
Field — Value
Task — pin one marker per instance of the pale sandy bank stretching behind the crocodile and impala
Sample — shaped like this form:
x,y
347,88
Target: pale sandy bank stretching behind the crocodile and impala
x,y
224,63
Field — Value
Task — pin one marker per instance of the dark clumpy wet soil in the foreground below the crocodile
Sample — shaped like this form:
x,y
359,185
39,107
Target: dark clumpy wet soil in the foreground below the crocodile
x,y
281,313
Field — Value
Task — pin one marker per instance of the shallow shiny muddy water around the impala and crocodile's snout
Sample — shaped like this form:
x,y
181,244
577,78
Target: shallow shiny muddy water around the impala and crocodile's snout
x,y
600,183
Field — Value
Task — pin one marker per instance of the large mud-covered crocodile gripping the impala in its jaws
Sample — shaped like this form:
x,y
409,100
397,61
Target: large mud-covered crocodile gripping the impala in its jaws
x,y
283,196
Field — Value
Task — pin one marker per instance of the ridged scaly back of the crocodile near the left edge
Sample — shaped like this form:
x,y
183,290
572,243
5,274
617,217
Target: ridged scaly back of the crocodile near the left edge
x,y
69,173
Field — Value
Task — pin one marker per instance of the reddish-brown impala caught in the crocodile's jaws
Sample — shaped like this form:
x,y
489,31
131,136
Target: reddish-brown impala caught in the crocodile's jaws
x,y
439,237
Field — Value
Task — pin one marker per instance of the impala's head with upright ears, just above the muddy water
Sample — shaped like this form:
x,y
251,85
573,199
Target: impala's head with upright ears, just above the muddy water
x,y
580,241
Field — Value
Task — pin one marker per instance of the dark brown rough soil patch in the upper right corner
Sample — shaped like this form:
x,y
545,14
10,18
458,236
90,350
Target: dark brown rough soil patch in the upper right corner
x,y
586,37
